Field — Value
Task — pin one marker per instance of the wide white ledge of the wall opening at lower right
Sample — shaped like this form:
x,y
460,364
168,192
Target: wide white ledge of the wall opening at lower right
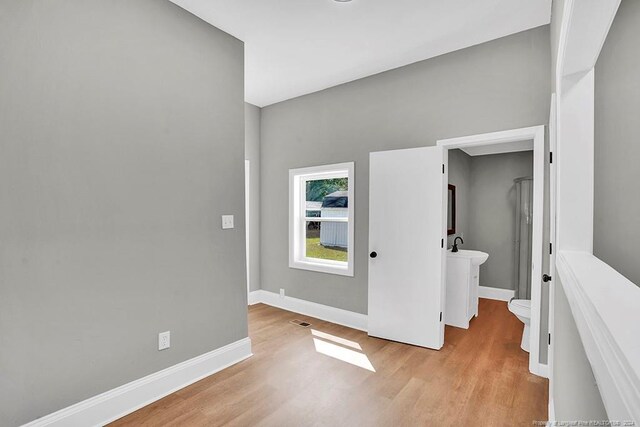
x,y
604,305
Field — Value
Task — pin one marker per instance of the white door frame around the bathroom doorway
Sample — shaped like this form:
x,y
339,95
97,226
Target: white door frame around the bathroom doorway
x,y
505,139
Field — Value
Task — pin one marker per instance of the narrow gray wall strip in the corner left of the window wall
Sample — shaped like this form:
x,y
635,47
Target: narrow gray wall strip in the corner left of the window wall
x,y
252,153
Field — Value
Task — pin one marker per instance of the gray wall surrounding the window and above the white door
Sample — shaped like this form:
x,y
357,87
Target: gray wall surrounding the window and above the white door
x,y
502,84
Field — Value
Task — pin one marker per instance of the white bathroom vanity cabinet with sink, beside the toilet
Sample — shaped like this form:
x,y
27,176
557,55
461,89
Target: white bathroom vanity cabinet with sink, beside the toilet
x,y
463,280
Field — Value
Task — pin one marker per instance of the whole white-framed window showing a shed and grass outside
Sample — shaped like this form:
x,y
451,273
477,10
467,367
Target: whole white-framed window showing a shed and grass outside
x,y
321,218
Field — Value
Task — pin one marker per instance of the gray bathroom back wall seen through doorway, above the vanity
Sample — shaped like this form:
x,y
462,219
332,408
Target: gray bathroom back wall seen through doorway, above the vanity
x,y
492,225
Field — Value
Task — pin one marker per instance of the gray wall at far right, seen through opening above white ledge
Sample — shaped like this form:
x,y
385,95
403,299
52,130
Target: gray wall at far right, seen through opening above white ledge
x,y
617,149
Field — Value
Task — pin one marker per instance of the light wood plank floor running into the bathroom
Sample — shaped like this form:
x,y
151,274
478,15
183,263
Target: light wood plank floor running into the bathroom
x,y
479,377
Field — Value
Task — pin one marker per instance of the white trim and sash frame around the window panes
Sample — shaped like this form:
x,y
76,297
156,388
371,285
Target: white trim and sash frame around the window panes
x,y
297,220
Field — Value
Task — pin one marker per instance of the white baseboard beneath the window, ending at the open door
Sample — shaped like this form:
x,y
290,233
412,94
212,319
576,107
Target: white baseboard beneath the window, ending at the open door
x,y
319,311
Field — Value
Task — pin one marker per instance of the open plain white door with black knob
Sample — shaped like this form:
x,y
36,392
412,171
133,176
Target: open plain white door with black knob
x,y
406,243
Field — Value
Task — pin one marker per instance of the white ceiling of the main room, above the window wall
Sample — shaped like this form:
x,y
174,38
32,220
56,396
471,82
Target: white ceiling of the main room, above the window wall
x,y
295,47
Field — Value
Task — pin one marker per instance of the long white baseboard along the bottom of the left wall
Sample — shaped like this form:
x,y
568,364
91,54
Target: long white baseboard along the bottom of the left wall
x,y
118,402
